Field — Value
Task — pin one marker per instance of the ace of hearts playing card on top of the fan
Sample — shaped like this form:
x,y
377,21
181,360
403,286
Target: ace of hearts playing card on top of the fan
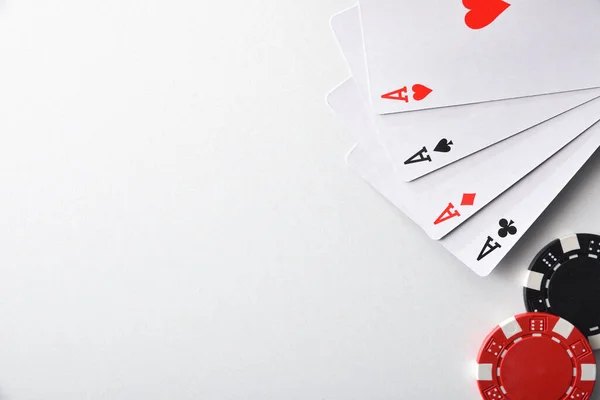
x,y
437,53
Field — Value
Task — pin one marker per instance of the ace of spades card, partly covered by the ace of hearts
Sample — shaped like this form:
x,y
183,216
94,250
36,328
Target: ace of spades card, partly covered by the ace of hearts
x,y
421,142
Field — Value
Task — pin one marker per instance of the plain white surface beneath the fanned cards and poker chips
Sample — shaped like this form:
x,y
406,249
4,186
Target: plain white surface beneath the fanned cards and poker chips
x,y
177,221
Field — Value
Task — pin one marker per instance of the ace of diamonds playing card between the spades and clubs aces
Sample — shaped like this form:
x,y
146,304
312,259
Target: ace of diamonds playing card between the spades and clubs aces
x,y
441,202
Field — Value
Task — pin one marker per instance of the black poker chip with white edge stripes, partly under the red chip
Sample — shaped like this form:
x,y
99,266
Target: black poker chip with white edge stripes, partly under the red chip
x,y
564,280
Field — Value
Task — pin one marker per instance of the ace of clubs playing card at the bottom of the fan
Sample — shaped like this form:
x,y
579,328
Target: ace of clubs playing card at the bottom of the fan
x,y
483,241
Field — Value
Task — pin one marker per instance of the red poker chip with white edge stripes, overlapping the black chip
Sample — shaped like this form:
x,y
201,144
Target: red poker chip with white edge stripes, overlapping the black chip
x,y
536,356
